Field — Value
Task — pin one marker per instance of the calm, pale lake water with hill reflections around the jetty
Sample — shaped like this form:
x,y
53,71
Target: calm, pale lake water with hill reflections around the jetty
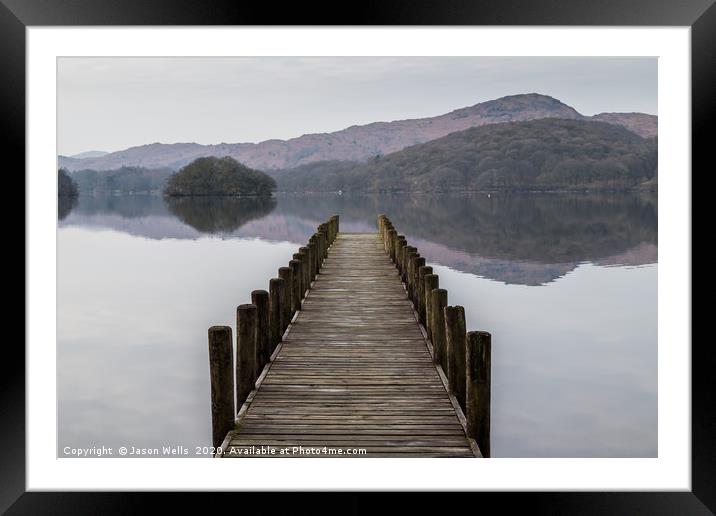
x,y
566,284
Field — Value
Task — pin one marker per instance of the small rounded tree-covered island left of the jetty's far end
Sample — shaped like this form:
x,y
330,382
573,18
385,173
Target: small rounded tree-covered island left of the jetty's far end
x,y
212,176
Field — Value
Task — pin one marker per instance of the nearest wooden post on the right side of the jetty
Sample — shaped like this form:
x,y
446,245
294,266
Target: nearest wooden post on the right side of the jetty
x,y
478,357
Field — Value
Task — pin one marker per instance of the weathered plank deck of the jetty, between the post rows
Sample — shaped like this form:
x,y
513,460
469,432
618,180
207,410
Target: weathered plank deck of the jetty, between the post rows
x,y
353,371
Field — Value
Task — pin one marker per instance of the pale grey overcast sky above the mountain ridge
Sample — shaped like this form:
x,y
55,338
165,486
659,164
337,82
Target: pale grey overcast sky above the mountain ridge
x,y
113,103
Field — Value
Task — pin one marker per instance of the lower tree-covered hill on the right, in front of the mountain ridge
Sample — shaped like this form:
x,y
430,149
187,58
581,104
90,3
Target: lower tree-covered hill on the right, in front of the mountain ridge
x,y
546,154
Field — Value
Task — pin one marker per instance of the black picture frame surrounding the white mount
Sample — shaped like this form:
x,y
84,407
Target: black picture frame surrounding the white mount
x,y
700,15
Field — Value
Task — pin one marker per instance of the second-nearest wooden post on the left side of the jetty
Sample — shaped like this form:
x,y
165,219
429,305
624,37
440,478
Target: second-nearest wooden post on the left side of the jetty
x,y
245,351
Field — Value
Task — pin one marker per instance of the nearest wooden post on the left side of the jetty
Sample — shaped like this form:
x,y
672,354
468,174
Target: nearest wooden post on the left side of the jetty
x,y
221,365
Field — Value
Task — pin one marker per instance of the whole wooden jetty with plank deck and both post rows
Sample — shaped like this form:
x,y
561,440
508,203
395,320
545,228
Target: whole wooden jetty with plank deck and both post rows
x,y
353,352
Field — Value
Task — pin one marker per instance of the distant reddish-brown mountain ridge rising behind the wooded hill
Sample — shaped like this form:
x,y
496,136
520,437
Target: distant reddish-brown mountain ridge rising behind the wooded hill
x,y
356,143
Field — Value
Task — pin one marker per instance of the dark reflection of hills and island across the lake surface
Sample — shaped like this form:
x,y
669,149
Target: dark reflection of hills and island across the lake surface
x,y
516,239
